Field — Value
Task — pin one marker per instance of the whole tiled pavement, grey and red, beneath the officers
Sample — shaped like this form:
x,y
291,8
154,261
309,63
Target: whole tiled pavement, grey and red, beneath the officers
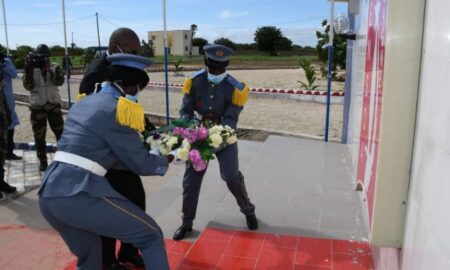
x,y
304,198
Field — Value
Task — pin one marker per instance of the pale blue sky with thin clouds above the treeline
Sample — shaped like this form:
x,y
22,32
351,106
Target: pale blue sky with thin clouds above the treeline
x,y
40,21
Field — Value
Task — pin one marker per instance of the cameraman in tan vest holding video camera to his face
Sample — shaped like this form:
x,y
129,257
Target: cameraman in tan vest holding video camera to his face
x,y
42,79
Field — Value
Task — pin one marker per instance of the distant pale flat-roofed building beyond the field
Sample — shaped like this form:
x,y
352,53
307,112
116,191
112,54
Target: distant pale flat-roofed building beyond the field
x,y
178,42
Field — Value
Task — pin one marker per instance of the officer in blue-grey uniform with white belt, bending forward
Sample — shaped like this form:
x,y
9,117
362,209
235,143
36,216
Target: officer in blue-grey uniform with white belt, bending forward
x,y
101,133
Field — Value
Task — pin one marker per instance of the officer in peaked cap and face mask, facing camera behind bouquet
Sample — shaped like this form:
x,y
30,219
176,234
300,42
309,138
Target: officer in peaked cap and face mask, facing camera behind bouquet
x,y
216,96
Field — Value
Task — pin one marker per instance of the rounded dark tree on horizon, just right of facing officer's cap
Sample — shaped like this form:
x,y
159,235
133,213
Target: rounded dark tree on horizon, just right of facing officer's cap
x,y
271,39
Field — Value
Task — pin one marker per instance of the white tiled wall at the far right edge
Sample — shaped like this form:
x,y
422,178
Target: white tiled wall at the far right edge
x,y
427,236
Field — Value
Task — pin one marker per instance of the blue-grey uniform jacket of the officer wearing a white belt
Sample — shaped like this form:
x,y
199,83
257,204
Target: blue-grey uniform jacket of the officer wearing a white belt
x,y
91,131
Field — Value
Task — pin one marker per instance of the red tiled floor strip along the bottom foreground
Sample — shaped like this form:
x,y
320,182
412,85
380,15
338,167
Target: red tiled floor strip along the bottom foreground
x,y
25,248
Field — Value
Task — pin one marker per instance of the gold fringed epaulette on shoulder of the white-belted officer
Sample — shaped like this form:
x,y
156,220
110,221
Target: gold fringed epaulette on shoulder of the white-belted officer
x,y
130,114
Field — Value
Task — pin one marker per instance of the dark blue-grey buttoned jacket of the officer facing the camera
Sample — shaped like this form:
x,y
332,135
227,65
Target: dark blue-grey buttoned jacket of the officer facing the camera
x,y
211,100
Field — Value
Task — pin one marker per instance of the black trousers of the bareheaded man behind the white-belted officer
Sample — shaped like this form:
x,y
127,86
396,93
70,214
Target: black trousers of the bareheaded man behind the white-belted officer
x,y
130,186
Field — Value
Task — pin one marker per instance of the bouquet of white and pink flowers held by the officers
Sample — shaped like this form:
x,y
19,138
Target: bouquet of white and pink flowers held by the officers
x,y
195,143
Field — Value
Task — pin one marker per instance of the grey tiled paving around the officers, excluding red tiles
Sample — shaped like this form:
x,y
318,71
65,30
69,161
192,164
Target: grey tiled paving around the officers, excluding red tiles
x,y
300,187
